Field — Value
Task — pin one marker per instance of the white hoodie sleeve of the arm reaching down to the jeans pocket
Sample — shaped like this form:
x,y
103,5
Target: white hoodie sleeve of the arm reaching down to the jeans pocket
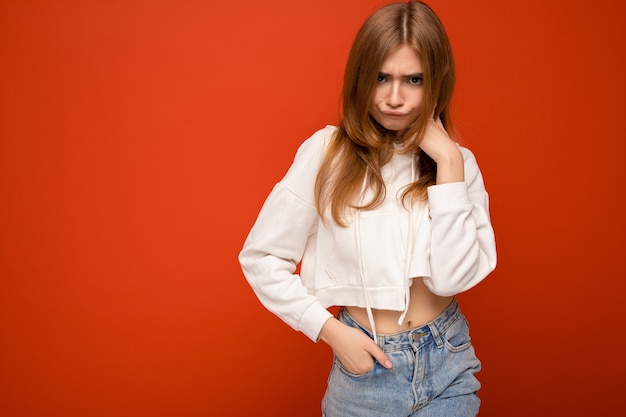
x,y
276,243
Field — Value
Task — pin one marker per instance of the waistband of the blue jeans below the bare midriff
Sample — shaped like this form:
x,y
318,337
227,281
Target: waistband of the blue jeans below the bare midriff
x,y
409,338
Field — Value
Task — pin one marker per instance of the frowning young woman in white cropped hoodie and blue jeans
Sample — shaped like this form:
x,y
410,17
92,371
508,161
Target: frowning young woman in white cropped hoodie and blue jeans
x,y
388,218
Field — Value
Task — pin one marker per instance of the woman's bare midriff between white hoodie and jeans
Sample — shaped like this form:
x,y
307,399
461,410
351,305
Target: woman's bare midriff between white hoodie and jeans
x,y
424,307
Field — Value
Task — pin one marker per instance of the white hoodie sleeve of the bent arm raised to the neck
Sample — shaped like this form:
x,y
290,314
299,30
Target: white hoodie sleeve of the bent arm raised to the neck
x,y
462,248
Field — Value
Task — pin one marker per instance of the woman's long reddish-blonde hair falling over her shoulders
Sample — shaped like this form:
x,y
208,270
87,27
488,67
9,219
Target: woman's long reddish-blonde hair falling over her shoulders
x,y
360,146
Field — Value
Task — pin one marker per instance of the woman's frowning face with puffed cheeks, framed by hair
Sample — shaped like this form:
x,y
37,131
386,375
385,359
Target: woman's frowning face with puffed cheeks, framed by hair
x,y
398,95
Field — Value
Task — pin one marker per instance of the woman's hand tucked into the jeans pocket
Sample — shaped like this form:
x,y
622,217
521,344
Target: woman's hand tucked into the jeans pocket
x,y
354,349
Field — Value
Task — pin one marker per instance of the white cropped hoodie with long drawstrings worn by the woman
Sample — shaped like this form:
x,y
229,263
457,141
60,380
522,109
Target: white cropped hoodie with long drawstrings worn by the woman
x,y
448,241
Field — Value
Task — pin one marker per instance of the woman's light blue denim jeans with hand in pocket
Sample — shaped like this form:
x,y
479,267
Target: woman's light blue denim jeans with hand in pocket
x,y
432,375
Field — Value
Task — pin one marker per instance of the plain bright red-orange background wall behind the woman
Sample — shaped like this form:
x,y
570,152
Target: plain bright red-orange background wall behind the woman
x,y
138,140
